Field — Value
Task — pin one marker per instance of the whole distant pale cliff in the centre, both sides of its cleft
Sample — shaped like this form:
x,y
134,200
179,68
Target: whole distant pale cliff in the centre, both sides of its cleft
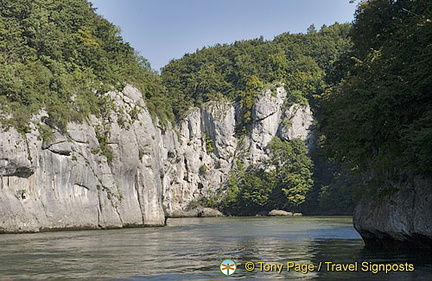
x,y
207,148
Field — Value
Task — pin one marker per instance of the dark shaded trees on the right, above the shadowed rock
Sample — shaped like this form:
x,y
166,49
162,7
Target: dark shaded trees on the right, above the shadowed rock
x,y
378,113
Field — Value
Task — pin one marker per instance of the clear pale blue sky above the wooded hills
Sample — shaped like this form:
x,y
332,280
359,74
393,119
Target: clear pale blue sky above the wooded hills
x,y
162,30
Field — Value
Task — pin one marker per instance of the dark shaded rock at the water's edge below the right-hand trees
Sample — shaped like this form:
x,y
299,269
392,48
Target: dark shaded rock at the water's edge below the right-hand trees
x,y
398,220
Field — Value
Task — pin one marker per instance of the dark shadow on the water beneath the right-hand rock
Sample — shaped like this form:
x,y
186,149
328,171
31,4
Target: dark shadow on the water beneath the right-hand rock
x,y
370,263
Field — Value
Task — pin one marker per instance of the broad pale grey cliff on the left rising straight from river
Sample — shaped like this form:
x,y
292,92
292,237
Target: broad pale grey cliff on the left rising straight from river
x,y
69,183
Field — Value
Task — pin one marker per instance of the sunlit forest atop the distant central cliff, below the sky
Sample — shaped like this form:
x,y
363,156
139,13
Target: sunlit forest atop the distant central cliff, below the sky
x,y
241,70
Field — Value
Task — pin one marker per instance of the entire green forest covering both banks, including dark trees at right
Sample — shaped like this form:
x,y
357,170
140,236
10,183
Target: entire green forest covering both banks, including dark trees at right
x,y
368,83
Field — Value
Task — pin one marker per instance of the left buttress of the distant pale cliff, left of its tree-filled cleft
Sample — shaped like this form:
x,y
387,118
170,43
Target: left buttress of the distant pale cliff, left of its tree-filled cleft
x,y
201,158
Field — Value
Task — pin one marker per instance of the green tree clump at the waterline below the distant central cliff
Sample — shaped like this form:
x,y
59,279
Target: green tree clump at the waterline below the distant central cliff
x,y
284,183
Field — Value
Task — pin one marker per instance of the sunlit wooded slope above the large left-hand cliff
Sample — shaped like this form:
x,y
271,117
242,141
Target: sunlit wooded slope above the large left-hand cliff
x,y
61,56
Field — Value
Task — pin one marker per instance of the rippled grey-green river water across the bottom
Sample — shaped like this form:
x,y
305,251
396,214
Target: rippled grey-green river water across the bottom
x,y
193,249
